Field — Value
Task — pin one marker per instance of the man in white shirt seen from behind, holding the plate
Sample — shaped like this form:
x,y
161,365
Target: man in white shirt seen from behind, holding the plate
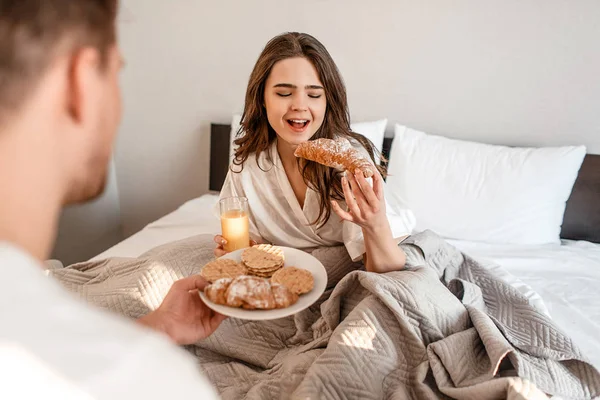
x,y
59,111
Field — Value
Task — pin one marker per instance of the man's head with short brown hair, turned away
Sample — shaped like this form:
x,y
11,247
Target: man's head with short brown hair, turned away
x,y
59,65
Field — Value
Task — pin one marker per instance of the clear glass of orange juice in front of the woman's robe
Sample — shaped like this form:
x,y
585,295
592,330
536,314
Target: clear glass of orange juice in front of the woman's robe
x,y
234,223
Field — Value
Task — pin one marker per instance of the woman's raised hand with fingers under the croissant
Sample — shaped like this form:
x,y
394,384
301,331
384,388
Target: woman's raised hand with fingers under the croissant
x,y
366,204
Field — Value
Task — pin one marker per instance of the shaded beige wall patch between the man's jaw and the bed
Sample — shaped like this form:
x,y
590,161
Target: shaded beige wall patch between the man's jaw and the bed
x,y
88,229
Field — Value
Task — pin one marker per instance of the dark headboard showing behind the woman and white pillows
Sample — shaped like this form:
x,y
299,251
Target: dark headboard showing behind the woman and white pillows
x,y
582,214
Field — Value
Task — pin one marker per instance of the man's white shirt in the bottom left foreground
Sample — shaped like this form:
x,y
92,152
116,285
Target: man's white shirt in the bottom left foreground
x,y
54,346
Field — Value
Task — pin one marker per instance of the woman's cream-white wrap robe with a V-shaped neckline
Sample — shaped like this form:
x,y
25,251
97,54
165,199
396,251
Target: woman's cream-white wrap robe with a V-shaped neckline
x,y
277,218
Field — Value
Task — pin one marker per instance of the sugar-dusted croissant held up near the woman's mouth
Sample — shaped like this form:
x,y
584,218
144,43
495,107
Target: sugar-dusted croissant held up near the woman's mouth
x,y
338,154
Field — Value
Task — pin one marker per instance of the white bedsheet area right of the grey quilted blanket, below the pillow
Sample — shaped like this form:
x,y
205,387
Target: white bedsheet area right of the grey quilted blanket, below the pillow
x,y
566,276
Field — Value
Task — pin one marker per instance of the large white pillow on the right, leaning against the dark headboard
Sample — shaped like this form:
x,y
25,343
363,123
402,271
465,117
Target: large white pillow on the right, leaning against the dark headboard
x,y
479,192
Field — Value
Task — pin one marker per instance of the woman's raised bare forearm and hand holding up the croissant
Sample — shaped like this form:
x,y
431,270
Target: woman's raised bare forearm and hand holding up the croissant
x,y
366,208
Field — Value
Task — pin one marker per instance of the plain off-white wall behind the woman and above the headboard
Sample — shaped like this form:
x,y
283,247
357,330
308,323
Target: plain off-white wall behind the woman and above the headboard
x,y
511,72
